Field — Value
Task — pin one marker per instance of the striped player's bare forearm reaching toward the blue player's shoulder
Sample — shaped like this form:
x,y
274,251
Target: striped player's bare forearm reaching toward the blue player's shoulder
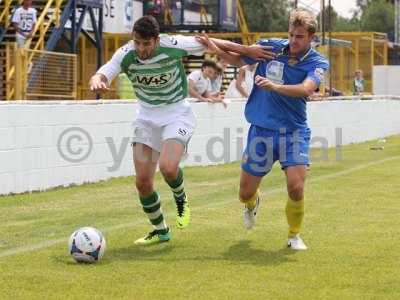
x,y
256,52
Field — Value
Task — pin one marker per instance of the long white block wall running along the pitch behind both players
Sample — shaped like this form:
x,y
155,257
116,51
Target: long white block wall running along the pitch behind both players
x,y
29,133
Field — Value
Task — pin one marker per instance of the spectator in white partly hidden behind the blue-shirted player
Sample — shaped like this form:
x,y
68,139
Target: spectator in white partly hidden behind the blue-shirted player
x,y
243,84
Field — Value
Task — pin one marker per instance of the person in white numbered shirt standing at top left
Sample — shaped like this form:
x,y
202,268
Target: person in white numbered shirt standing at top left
x,y
24,21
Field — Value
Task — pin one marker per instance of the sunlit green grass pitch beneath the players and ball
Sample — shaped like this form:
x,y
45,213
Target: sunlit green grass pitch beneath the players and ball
x,y
352,225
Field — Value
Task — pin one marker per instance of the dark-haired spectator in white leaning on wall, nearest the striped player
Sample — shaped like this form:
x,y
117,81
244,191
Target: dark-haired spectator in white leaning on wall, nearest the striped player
x,y
200,83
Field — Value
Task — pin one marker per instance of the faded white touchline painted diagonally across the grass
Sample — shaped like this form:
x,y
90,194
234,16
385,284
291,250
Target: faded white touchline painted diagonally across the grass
x,y
49,243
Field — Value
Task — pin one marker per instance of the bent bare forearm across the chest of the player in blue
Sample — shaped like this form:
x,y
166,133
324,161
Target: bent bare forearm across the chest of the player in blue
x,y
304,89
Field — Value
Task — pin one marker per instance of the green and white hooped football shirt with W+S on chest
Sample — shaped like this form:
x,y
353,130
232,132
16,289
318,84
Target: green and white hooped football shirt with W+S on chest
x,y
160,80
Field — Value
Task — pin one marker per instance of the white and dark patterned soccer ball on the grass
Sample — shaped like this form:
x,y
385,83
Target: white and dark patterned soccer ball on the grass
x,y
87,244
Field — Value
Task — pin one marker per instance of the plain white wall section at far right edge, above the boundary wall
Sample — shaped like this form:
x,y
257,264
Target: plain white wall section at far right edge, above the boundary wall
x,y
386,80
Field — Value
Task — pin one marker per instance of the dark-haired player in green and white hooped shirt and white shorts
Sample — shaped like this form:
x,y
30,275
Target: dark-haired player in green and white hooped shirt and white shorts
x,y
165,121
